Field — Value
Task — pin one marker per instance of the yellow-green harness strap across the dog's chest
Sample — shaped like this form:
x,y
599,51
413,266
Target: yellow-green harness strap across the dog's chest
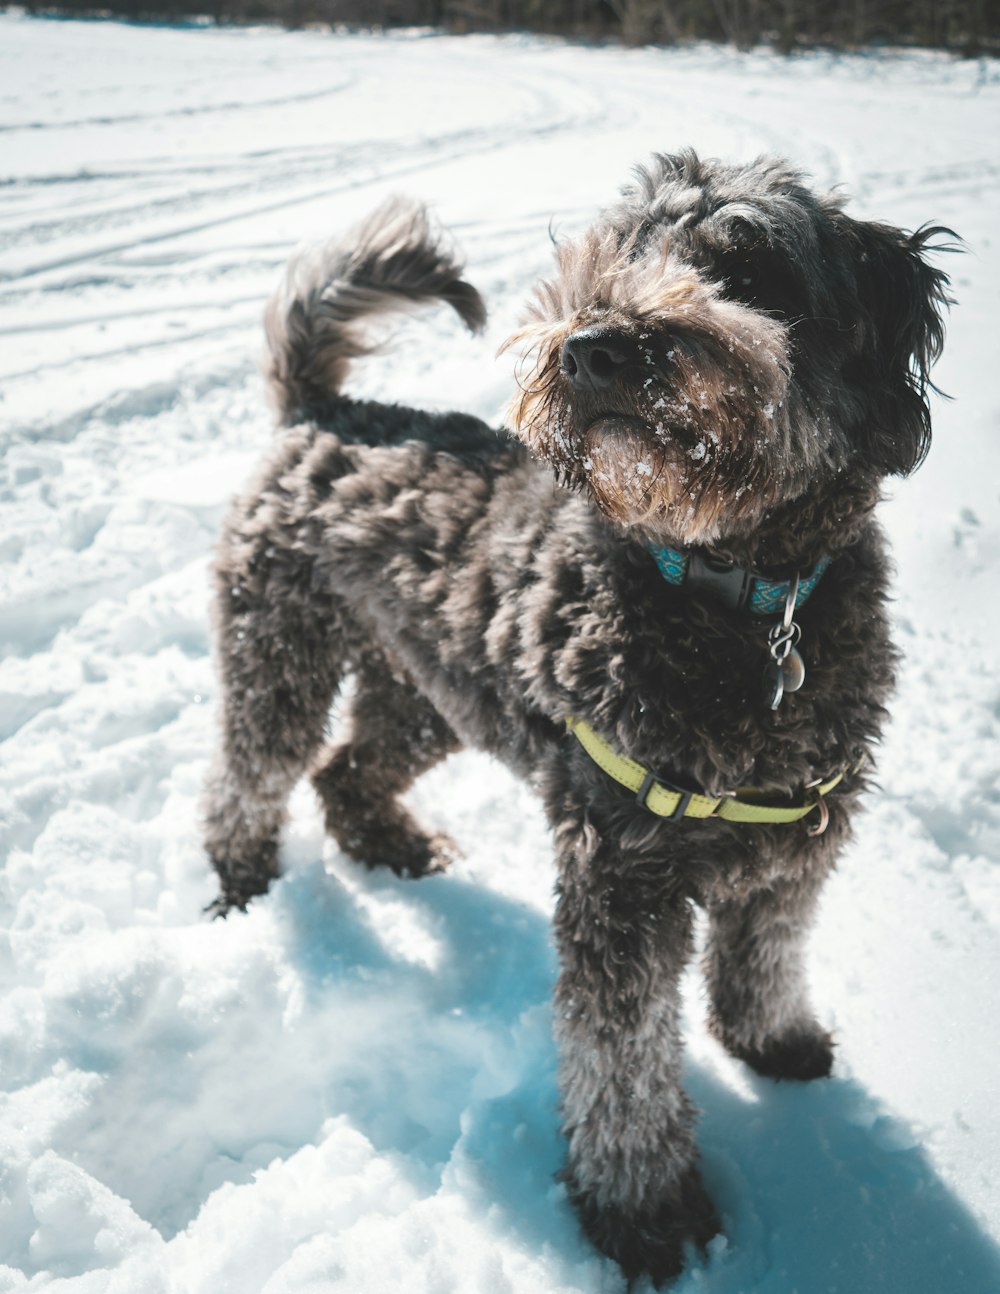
x,y
668,802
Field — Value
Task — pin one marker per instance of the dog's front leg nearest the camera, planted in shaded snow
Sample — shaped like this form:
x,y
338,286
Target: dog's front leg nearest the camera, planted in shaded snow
x,y
624,939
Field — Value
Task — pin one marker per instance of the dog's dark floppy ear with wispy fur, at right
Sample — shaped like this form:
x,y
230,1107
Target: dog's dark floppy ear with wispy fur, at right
x,y
902,300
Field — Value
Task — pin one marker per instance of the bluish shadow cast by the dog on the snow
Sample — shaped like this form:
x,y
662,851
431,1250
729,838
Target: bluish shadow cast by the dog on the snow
x,y
820,1189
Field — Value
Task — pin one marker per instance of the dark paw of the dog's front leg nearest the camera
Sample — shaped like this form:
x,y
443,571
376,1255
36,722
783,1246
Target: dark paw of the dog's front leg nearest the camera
x,y
651,1242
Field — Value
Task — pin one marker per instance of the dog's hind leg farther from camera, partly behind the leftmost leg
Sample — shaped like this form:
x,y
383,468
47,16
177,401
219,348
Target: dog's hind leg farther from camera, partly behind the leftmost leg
x,y
395,736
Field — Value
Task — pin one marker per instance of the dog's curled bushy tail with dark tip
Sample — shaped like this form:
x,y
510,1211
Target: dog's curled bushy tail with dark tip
x,y
316,320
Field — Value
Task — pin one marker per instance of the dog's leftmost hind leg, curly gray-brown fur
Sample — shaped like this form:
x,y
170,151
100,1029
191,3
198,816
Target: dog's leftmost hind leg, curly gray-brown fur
x,y
281,655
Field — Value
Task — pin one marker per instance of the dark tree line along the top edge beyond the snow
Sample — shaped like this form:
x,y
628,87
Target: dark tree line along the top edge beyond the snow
x,y
970,27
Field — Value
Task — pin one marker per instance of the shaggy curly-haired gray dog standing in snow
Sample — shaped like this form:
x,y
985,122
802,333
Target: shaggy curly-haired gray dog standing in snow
x,y
668,589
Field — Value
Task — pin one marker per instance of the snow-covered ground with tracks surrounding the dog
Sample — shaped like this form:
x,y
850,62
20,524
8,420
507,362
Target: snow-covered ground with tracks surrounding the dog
x,y
351,1089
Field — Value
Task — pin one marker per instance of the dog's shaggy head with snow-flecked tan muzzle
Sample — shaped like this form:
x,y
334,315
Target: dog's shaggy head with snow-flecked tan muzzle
x,y
724,340
